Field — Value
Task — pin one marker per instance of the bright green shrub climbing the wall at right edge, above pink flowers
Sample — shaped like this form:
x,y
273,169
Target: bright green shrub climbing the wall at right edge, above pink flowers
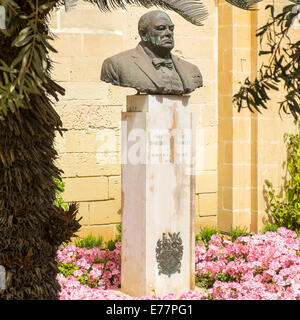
x,y
285,212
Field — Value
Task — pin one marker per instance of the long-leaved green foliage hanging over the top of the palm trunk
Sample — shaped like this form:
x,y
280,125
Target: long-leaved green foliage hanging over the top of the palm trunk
x,y
25,69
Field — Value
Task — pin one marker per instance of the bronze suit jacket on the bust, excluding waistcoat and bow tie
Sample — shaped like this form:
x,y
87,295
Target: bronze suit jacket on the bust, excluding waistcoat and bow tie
x,y
134,68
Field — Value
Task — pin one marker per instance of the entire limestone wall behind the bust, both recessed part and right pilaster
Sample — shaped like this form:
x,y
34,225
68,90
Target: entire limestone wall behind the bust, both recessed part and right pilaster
x,y
236,152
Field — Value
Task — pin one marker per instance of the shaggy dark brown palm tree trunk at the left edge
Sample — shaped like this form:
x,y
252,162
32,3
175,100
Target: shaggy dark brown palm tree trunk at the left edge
x,y
31,227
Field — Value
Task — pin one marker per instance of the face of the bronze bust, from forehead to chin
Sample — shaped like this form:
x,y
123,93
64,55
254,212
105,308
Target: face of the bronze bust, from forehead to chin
x,y
160,33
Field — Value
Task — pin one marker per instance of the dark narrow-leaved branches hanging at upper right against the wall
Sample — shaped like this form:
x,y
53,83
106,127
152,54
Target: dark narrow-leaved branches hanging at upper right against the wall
x,y
283,65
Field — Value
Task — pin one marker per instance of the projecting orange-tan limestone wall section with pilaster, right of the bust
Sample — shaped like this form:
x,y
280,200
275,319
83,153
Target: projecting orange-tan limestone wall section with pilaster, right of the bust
x,y
251,147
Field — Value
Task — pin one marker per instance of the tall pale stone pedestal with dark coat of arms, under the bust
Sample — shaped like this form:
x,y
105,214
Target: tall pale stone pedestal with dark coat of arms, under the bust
x,y
157,195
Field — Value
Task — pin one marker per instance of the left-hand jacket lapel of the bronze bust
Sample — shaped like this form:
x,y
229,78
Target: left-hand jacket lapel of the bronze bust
x,y
145,64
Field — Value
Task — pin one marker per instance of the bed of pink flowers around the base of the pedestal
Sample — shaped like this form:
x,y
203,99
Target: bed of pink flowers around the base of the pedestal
x,y
261,267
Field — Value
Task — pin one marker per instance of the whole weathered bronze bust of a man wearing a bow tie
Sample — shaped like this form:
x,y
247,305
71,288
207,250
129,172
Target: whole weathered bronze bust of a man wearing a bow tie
x,y
150,67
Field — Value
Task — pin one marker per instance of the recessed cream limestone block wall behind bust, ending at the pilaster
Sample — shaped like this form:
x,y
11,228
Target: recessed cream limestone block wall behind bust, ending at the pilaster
x,y
89,152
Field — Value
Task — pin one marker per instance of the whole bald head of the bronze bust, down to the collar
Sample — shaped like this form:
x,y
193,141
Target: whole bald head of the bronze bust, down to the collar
x,y
157,32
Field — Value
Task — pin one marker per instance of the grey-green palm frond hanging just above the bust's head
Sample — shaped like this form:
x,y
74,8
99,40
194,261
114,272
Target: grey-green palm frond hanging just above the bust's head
x,y
192,10
